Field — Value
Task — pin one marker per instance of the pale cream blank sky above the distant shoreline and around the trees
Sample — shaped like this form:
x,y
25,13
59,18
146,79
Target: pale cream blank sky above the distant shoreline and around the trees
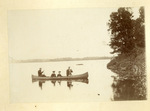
x,y
58,33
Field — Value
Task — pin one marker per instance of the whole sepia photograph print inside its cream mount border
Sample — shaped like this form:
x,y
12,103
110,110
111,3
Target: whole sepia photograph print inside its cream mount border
x,y
77,55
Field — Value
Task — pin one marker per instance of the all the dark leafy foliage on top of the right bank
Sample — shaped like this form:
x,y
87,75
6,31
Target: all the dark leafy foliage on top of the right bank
x,y
126,33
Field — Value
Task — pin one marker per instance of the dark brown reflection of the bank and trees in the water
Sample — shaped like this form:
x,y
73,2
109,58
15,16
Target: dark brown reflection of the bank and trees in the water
x,y
124,89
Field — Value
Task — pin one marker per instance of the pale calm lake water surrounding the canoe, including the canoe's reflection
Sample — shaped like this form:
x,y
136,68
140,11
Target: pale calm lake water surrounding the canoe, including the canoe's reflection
x,y
98,88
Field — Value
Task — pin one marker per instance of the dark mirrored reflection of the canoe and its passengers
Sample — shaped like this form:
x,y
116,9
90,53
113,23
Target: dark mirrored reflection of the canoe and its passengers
x,y
69,82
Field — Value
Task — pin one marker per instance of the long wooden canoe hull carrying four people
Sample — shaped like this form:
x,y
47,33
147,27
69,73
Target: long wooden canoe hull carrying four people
x,y
80,76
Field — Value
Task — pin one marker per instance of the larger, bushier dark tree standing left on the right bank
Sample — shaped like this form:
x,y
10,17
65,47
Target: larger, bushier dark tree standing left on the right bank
x,y
121,26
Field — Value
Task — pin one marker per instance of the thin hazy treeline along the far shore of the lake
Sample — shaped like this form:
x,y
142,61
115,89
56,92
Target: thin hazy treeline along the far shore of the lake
x,y
59,59
